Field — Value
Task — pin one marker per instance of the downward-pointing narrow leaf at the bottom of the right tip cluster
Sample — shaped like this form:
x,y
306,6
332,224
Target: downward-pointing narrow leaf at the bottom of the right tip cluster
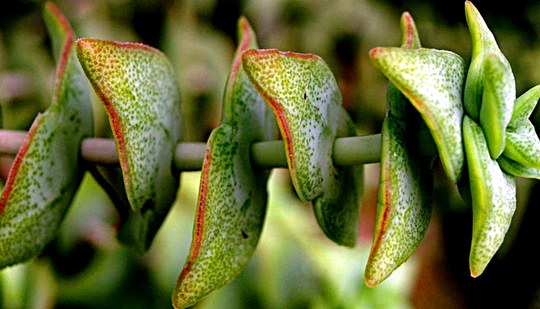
x,y
493,194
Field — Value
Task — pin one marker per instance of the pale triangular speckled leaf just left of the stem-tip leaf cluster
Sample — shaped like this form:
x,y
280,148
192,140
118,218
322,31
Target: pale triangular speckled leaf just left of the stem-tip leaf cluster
x,y
433,81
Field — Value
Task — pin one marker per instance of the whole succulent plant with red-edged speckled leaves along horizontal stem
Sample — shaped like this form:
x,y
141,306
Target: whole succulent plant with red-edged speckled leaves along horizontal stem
x,y
280,109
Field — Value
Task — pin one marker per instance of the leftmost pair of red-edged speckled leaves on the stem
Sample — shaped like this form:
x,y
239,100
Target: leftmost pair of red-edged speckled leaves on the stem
x,y
139,92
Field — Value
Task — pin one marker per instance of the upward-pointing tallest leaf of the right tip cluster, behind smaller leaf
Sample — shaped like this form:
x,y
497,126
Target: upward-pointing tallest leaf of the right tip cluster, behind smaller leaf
x,y
483,44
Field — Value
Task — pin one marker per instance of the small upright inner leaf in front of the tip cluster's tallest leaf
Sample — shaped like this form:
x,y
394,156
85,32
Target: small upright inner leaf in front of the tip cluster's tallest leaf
x,y
497,103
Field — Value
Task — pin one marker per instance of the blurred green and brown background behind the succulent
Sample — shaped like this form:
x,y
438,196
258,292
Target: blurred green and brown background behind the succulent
x,y
295,266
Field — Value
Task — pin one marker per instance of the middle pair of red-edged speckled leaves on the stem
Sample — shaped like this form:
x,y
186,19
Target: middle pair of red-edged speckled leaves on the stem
x,y
299,91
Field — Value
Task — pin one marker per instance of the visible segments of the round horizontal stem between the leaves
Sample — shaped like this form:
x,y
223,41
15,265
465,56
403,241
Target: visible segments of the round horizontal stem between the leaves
x,y
189,156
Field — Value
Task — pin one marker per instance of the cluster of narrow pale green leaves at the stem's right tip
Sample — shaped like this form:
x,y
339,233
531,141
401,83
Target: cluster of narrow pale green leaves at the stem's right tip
x,y
500,142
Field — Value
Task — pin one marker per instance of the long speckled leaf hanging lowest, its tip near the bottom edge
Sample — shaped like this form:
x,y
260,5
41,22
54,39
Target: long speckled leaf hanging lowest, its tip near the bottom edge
x,y
232,195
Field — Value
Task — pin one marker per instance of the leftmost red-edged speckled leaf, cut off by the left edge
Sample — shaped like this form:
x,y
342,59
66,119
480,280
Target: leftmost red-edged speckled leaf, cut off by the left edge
x,y
47,170
